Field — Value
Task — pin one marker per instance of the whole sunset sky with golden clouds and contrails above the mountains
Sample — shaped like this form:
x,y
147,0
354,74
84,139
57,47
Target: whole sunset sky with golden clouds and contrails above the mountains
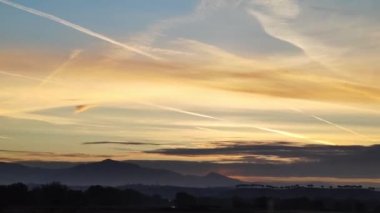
x,y
255,89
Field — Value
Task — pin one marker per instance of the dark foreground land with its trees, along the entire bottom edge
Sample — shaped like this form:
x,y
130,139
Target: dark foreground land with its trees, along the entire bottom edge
x,y
55,197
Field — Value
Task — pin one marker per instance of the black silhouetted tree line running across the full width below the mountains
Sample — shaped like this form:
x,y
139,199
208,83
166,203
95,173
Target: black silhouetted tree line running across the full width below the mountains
x,y
56,196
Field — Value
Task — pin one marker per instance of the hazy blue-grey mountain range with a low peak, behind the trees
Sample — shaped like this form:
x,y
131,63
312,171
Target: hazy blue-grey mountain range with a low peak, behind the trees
x,y
110,173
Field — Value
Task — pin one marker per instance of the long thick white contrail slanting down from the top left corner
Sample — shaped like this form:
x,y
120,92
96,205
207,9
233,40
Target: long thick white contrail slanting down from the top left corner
x,y
78,28
